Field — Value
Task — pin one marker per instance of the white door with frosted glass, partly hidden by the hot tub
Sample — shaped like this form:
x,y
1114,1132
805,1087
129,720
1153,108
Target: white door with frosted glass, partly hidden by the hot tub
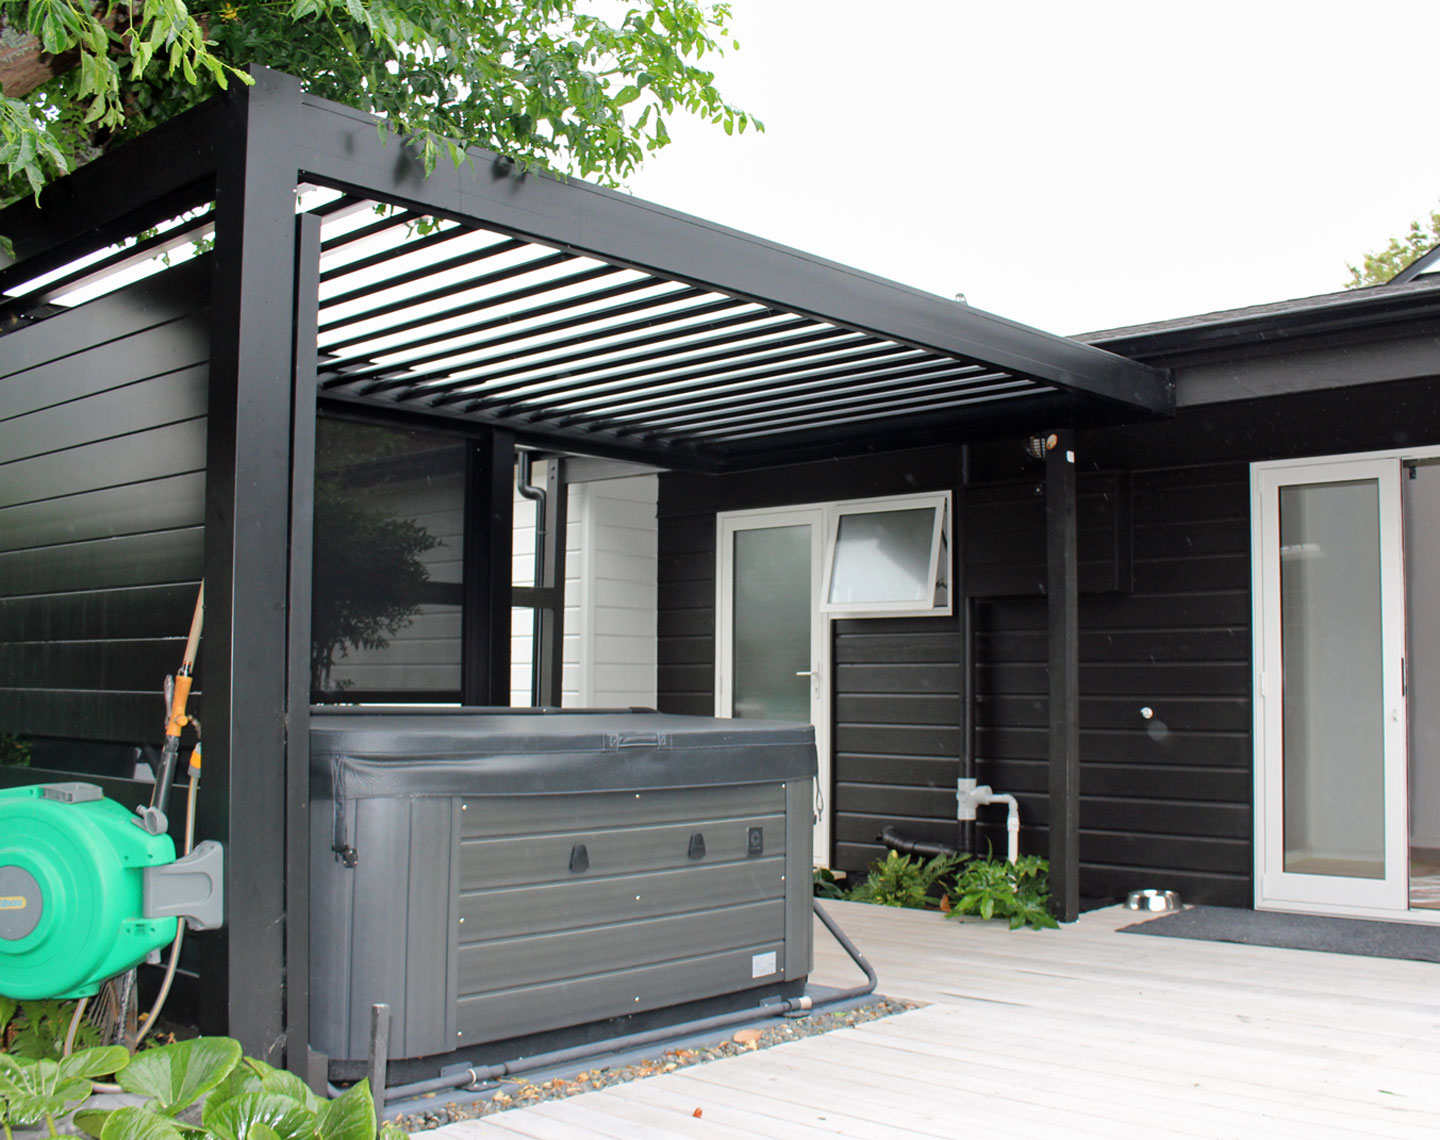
x,y
773,651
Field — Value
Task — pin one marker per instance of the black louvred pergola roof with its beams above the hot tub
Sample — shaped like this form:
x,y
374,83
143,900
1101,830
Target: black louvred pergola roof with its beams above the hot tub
x,y
590,322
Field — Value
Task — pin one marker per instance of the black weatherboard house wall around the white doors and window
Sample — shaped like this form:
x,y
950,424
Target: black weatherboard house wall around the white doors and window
x,y
1164,625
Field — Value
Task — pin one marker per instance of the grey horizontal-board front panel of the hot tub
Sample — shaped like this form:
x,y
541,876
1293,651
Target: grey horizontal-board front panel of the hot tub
x,y
593,906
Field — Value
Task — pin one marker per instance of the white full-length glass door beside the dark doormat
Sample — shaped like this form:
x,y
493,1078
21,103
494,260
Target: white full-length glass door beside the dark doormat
x,y
1331,725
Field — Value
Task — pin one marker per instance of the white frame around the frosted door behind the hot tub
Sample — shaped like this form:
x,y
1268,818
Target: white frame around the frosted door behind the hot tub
x,y
726,528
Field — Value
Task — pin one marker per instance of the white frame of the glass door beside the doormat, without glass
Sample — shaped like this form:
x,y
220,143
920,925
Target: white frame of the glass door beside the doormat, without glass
x,y
1320,895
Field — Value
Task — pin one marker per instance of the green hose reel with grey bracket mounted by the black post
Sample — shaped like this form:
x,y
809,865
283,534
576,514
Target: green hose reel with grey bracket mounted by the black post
x,y
86,893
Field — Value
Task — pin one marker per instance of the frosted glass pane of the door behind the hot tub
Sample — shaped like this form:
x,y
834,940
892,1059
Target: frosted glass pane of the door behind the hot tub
x,y
773,624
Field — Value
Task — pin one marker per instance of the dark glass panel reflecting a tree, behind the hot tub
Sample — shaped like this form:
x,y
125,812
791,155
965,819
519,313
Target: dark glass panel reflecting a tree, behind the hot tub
x,y
390,523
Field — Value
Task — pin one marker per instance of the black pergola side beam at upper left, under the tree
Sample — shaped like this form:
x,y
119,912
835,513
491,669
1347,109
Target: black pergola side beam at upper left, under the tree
x,y
162,173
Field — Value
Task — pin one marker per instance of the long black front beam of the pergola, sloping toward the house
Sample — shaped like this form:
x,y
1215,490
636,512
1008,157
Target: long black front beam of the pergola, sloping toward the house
x,y
342,148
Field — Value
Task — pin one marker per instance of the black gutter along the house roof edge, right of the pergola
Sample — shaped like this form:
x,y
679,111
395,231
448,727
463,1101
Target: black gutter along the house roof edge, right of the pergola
x,y
1235,332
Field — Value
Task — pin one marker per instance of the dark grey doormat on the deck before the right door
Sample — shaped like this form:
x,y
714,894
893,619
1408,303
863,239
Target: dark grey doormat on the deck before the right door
x,y
1298,932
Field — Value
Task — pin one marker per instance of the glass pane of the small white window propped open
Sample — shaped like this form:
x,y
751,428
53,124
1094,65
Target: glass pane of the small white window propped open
x,y
883,556
